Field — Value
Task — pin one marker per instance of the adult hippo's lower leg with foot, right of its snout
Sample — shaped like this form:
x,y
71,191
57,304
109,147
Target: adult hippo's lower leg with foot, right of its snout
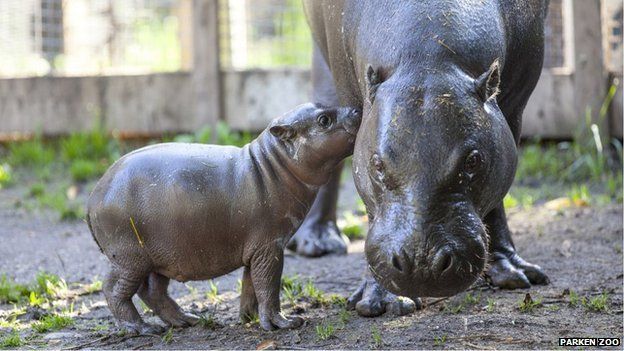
x,y
507,269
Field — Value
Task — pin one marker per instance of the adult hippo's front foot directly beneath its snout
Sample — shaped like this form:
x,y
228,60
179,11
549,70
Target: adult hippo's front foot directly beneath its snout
x,y
372,300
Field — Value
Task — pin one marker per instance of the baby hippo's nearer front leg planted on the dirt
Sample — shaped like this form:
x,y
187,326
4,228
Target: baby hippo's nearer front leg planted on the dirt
x,y
266,273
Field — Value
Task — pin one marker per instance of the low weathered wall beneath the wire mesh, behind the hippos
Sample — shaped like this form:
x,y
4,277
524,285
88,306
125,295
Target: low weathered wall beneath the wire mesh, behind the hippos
x,y
160,103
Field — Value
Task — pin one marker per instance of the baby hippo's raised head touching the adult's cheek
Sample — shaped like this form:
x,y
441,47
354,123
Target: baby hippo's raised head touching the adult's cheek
x,y
316,139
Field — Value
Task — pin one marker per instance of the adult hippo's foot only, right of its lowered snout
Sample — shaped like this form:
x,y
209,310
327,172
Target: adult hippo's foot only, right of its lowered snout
x,y
510,271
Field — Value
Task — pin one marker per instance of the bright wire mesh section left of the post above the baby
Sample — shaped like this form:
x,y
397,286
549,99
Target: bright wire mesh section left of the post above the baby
x,y
88,37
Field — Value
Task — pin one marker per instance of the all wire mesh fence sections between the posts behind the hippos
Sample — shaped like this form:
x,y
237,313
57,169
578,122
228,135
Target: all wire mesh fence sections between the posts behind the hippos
x,y
93,37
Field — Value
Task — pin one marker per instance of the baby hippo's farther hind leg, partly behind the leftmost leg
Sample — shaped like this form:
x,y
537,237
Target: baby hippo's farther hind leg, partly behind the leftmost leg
x,y
154,293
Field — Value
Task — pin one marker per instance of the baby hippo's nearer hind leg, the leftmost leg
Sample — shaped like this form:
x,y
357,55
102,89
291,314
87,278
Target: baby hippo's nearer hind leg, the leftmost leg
x,y
119,288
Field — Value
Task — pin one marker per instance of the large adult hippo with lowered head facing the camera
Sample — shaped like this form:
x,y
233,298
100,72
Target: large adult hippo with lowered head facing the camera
x,y
442,85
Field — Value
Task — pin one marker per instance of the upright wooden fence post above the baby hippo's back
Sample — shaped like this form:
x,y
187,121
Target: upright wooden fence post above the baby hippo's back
x,y
206,77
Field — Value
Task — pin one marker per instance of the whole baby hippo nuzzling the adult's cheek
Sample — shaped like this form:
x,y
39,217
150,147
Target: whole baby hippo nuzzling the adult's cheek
x,y
195,212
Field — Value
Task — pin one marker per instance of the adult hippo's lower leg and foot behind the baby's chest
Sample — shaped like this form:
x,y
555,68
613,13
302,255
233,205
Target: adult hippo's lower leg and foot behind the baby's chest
x,y
319,235
